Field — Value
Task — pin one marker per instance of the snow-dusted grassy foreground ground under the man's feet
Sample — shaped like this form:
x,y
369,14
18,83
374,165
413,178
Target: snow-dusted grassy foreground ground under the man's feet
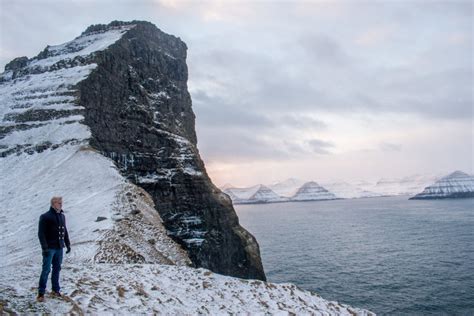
x,y
131,289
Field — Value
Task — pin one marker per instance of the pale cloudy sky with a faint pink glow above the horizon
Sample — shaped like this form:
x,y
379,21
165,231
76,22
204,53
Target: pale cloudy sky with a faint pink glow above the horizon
x,y
315,90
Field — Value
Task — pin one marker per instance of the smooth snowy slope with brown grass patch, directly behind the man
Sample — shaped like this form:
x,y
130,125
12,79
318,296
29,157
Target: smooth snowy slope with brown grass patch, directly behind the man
x,y
91,188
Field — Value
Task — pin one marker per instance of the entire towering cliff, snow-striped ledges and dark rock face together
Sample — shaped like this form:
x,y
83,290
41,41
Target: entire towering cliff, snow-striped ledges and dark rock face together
x,y
122,90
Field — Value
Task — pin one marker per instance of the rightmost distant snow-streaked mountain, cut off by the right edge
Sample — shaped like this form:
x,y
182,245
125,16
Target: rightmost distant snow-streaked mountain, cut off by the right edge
x,y
456,185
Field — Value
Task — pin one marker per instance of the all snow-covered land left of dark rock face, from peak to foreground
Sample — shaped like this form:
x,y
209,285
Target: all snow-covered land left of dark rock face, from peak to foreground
x,y
122,259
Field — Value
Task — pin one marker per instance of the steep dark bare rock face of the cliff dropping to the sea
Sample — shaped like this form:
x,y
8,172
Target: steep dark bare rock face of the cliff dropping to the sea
x,y
139,111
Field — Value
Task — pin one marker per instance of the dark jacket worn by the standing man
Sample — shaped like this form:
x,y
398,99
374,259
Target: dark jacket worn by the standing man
x,y
52,231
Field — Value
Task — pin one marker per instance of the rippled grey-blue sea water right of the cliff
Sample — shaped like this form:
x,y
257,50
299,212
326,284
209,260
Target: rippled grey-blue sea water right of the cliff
x,y
389,255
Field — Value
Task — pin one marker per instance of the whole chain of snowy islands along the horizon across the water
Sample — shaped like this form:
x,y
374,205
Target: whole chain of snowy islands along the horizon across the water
x,y
455,185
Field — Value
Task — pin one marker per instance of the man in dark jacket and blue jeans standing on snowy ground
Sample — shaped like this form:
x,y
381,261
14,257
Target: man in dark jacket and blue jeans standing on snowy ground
x,y
53,236
